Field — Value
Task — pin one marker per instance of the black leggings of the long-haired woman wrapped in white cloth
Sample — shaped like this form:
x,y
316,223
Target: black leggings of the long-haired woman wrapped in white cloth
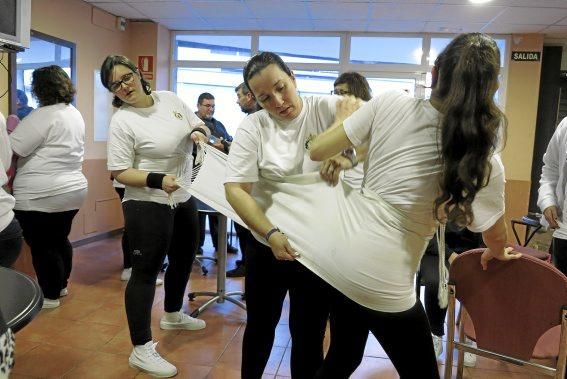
x,y
413,356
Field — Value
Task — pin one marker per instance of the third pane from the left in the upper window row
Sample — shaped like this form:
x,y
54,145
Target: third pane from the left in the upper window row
x,y
371,50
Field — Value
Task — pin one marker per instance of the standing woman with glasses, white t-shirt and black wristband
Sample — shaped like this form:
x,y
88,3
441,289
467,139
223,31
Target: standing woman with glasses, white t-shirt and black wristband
x,y
150,142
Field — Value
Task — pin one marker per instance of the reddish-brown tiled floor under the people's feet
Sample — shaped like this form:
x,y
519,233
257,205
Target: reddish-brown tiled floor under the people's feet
x,y
87,337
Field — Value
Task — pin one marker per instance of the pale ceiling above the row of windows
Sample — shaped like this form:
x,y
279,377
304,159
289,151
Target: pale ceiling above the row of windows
x,y
431,16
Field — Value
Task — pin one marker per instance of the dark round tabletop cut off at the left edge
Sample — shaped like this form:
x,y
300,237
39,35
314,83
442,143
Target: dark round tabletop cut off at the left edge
x,y
20,298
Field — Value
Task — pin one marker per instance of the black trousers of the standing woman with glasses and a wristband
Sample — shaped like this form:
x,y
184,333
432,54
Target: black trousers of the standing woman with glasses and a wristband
x,y
153,230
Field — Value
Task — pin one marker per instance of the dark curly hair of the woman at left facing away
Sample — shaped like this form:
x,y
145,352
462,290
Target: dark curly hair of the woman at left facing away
x,y
51,85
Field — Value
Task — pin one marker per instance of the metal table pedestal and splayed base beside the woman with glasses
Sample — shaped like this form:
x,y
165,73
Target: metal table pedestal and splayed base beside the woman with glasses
x,y
220,296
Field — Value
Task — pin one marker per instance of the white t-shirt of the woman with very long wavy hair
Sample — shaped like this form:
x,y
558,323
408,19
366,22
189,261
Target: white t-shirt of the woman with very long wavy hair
x,y
403,163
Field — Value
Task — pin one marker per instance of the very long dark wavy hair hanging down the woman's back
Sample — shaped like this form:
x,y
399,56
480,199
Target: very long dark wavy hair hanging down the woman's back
x,y
468,79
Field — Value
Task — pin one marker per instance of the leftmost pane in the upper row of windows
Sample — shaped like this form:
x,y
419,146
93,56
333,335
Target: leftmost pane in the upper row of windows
x,y
213,47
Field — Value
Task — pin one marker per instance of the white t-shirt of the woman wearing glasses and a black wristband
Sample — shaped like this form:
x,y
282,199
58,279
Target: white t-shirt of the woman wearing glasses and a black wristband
x,y
153,139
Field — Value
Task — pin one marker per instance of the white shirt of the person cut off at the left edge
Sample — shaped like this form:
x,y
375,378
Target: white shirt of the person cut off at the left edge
x,y
7,201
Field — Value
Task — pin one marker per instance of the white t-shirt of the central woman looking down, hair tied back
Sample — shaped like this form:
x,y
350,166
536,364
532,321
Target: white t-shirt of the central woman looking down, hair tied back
x,y
270,148
